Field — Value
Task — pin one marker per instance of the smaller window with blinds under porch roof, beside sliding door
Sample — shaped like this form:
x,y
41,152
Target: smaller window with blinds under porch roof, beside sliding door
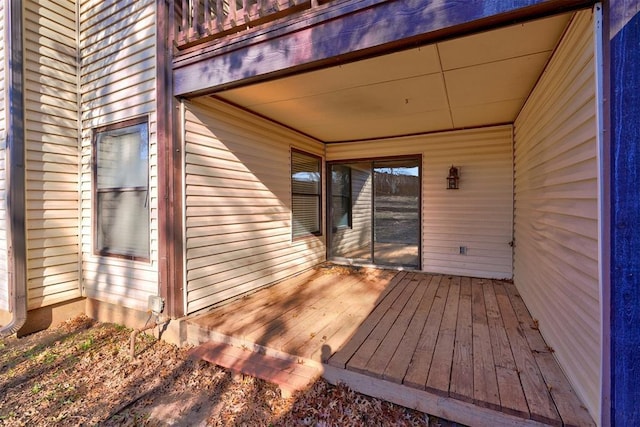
x,y
306,194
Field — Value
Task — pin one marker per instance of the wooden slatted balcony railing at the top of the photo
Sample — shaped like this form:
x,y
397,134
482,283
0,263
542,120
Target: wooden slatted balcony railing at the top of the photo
x,y
205,20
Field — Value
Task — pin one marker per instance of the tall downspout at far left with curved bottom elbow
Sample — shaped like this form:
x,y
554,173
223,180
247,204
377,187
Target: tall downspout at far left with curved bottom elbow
x,y
15,170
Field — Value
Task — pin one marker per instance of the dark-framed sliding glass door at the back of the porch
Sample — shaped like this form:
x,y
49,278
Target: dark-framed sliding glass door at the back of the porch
x,y
374,212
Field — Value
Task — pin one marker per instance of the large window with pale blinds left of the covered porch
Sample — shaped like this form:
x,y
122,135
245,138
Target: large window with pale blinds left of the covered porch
x,y
121,190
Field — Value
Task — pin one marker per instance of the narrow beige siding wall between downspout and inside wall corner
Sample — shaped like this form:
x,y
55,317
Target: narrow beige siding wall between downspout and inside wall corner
x,y
52,152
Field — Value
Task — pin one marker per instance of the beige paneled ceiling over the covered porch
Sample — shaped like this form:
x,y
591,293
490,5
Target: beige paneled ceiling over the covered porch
x,y
477,80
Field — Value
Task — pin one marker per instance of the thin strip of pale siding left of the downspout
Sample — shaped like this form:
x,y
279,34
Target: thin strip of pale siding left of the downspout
x,y
4,279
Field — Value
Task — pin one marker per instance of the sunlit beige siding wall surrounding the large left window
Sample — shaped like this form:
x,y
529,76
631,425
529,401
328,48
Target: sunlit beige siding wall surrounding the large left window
x,y
117,82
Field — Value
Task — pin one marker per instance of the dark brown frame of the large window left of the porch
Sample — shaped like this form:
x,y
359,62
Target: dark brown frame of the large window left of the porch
x,y
95,189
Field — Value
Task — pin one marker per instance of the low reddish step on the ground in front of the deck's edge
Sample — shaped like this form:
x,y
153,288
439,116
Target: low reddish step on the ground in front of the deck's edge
x,y
289,375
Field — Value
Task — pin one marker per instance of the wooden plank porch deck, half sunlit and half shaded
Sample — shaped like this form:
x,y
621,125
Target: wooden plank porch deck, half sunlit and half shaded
x,y
458,343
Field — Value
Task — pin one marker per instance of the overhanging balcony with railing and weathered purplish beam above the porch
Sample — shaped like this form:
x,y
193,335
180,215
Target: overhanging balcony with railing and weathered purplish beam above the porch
x,y
222,44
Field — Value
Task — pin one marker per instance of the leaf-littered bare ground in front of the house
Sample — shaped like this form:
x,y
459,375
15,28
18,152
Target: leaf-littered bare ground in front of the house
x,y
80,373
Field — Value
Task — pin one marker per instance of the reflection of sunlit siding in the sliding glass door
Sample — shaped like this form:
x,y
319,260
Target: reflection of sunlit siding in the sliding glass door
x,y
357,237
